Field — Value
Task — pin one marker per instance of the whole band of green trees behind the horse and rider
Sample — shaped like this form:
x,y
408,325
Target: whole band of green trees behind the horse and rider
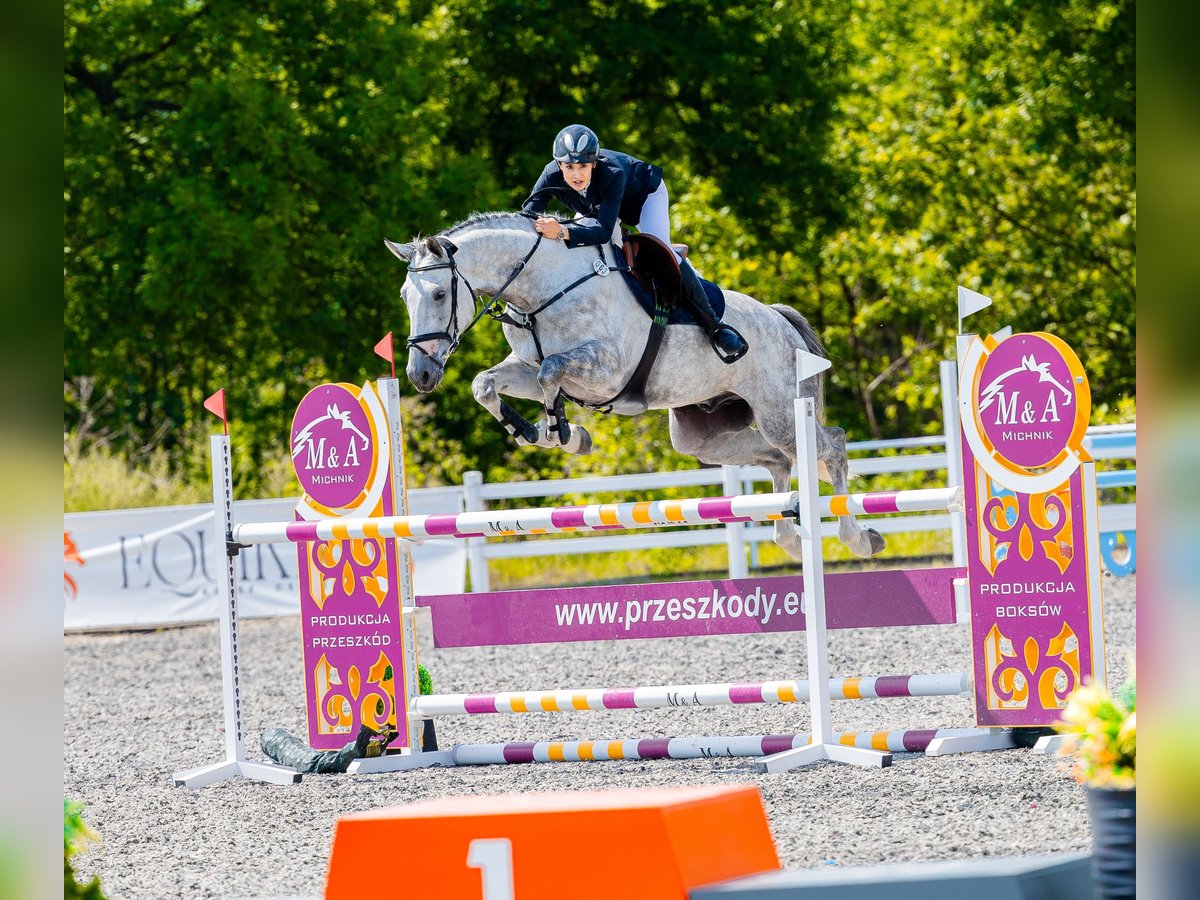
x,y
231,172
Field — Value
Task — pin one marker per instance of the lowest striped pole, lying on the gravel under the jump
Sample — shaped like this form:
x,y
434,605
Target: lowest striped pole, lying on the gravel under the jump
x,y
691,748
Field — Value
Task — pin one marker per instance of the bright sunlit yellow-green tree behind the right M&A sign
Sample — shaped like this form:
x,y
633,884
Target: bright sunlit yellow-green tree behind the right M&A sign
x,y
992,145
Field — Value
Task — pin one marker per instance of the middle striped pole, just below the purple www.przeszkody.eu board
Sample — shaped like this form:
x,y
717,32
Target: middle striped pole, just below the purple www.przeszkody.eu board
x,y
944,685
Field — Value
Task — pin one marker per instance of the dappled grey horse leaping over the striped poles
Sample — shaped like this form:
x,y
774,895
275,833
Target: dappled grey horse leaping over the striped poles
x,y
585,345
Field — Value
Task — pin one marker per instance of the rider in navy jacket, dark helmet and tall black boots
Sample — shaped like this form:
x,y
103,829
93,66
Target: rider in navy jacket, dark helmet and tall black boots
x,y
609,187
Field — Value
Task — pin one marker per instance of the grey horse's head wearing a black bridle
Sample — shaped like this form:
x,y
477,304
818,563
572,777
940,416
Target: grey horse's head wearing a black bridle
x,y
440,301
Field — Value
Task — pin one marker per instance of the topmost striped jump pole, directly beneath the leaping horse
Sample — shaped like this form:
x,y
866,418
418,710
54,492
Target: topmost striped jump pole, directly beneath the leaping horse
x,y
595,518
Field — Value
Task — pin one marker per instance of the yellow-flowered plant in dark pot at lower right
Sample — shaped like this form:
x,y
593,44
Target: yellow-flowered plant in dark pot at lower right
x,y
1102,746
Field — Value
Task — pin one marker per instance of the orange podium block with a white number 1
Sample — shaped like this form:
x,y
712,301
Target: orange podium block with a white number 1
x,y
644,843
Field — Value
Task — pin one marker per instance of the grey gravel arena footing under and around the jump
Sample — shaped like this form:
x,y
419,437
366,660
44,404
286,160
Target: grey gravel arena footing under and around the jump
x,y
142,706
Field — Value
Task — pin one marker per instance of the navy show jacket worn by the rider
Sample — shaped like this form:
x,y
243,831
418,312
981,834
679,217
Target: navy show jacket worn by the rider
x,y
619,190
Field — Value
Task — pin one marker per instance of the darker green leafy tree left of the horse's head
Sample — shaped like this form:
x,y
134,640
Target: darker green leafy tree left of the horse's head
x,y
231,172
